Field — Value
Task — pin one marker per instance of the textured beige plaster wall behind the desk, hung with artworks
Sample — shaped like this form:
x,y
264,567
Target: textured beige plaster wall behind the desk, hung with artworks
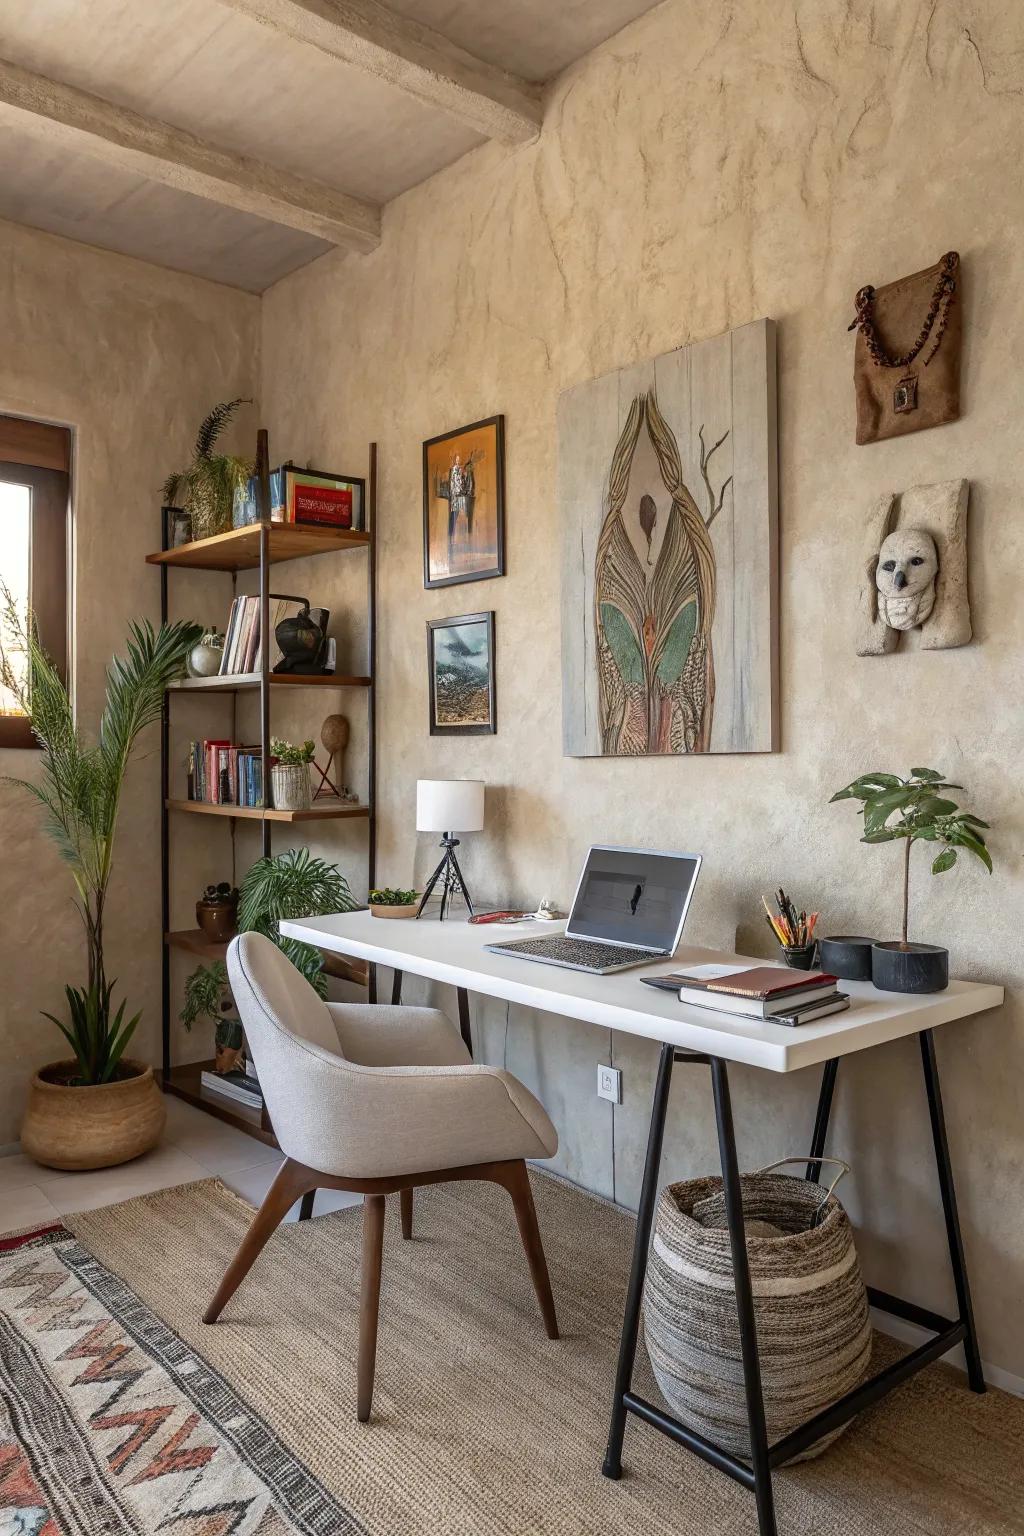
x,y
709,167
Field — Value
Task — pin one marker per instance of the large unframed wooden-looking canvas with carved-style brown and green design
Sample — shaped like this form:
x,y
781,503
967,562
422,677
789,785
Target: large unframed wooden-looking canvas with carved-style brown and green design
x,y
669,511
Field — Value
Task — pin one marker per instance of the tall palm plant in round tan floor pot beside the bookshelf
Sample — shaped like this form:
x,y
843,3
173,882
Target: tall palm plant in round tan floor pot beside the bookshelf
x,y
99,1107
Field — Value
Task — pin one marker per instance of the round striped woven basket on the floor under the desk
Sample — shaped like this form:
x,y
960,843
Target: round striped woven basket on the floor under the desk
x,y
810,1303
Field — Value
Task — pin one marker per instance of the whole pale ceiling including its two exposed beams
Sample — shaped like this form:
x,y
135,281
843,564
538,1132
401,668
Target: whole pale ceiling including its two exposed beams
x,y
279,114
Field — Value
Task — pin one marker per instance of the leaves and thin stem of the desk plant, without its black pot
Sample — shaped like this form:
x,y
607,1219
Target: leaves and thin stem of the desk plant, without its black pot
x,y
923,813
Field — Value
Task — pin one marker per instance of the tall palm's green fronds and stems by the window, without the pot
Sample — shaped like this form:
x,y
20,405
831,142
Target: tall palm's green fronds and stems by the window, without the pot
x,y
81,793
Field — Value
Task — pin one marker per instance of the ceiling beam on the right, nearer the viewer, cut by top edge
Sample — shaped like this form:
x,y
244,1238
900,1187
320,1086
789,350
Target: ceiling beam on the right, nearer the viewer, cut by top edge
x,y
412,58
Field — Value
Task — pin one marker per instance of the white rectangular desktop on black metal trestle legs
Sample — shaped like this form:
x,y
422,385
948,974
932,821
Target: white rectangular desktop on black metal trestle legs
x,y
454,952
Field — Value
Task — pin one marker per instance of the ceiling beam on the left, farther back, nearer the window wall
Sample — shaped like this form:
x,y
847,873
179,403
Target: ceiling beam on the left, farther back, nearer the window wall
x,y
180,161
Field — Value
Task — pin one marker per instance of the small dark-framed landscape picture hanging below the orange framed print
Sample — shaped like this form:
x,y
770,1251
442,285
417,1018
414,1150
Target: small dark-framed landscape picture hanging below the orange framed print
x,y
461,672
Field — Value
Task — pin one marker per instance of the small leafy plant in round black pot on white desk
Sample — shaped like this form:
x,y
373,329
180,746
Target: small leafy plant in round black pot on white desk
x,y
923,815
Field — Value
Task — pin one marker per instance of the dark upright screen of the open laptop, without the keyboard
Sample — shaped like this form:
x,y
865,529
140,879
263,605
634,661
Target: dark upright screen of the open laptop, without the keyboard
x,y
633,898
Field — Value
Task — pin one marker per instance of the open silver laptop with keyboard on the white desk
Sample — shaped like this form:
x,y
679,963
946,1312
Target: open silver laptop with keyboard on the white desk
x,y
629,910
